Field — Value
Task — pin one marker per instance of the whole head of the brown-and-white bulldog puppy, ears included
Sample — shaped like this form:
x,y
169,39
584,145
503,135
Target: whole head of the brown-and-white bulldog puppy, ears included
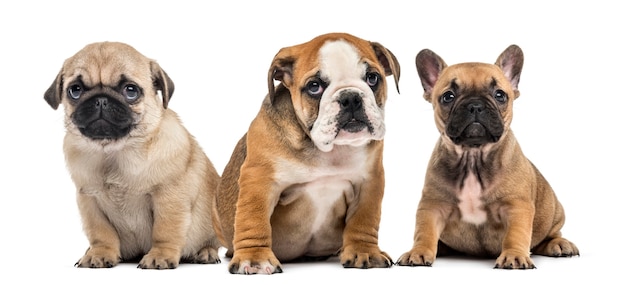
x,y
338,89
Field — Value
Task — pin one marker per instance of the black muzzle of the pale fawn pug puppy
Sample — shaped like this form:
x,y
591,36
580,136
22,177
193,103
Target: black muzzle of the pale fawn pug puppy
x,y
102,117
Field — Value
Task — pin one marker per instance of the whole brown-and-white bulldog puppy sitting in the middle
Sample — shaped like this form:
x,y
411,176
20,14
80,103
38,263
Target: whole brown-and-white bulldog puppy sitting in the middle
x,y
307,179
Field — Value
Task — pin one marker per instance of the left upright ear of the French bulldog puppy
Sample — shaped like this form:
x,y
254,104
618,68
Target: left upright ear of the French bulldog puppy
x,y
429,66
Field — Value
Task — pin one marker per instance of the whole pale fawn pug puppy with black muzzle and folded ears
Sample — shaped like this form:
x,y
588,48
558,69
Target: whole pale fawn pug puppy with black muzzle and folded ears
x,y
143,183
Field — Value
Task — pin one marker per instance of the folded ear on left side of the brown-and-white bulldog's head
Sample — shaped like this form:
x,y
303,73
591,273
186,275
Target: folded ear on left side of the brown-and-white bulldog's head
x,y
281,69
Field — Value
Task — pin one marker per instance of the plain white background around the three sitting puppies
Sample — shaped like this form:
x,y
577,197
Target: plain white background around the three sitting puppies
x,y
568,118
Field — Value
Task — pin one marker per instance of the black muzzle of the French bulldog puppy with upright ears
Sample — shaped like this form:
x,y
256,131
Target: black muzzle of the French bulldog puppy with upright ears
x,y
475,122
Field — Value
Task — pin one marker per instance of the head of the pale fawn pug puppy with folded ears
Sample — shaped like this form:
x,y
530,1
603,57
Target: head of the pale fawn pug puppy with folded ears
x,y
107,90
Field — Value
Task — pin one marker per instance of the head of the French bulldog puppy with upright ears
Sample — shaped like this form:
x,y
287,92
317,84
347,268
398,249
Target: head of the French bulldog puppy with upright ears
x,y
473,102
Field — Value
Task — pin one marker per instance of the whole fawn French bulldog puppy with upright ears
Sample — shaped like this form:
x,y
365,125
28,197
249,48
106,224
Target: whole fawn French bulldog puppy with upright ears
x,y
481,195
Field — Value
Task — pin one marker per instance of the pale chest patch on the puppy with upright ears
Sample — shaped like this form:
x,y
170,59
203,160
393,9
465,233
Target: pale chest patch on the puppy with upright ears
x,y
470,203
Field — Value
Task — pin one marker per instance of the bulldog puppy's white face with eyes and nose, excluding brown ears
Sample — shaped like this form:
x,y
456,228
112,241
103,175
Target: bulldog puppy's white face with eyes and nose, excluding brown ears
x,y
345,87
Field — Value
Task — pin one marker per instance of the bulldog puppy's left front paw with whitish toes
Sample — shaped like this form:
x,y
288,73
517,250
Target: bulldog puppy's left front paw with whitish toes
x,y
253,261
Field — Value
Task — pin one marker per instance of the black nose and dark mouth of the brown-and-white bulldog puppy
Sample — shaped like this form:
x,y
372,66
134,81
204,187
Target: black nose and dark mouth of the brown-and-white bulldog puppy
x,y
352,117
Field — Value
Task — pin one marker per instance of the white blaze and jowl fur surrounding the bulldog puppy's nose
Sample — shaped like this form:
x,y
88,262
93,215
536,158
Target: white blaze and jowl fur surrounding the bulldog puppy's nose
x,y
342,68
